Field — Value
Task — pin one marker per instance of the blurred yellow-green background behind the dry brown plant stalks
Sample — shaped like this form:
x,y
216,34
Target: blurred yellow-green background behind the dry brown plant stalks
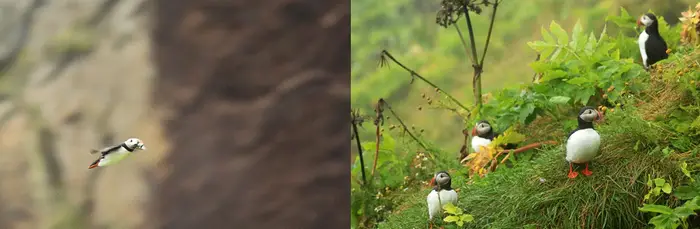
x,y
407,29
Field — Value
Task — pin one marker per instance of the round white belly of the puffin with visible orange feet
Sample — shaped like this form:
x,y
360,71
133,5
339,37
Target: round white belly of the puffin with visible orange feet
x,y
582,146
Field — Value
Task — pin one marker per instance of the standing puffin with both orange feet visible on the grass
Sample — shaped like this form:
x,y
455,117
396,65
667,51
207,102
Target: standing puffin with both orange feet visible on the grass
x,y
583,143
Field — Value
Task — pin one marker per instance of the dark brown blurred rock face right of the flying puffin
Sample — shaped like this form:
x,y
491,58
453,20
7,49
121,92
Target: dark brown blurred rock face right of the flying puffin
x,y
259,95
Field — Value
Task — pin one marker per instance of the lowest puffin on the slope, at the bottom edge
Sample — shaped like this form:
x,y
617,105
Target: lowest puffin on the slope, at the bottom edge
x,y
441,194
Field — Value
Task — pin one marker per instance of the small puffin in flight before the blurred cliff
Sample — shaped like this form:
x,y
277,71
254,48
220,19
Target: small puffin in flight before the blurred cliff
x,y
113,154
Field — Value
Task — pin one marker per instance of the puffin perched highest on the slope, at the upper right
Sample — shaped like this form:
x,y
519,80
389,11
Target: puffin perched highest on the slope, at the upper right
x,y
651,45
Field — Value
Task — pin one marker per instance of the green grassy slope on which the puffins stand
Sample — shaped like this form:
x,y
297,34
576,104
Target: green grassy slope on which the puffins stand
x,y
513,198
